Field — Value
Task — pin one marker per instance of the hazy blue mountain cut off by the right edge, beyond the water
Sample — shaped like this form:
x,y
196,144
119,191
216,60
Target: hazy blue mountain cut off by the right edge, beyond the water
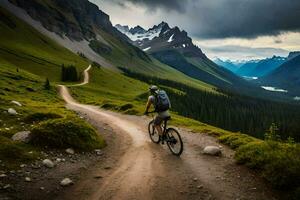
x,y
287,76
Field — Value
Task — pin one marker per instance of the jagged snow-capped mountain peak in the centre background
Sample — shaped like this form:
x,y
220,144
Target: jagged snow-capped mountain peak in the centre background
x,y
175,48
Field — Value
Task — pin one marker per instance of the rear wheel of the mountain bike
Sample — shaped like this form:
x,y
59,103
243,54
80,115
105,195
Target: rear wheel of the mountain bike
x,y
174,141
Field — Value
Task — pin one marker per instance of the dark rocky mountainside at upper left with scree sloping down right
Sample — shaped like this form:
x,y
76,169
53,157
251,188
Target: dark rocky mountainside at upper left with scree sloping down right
x,y
101,43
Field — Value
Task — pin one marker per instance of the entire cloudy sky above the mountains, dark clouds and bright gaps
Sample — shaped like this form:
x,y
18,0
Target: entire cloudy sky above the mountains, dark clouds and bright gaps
x,y
228,29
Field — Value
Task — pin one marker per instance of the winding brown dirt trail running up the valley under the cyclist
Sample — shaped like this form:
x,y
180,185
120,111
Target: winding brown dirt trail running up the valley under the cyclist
x,y
135,168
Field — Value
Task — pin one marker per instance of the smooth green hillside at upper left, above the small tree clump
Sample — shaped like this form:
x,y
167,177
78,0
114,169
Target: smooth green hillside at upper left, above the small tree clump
x,y
24,47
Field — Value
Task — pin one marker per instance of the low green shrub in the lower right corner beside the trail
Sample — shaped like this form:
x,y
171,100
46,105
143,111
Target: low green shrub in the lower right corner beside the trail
x,y
278,162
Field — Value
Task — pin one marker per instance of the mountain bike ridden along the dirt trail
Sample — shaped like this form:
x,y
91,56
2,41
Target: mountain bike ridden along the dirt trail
x,y
170,135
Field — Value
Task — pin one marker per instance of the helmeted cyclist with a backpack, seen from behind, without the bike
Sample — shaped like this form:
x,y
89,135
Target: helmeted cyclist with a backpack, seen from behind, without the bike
x,y
162,111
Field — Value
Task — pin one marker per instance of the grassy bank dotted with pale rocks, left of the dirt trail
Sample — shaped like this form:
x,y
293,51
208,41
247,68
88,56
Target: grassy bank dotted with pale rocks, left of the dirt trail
x,y
40,108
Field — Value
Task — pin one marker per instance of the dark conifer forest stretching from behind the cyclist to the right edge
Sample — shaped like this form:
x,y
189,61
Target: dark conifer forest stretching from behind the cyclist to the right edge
x,y
229,111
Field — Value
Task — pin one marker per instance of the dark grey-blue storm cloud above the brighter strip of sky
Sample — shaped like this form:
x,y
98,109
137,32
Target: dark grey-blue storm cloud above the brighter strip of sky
x,y
229,18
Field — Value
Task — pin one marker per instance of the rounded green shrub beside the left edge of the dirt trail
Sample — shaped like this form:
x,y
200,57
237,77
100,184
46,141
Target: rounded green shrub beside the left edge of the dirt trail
x,y
63,133
